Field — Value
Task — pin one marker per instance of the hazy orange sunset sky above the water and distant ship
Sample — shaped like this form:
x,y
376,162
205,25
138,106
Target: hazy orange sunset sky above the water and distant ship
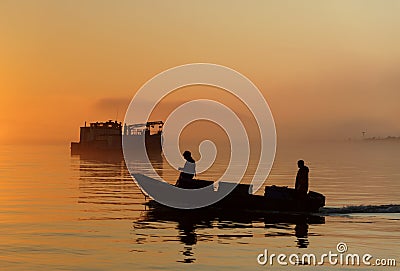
x,y
328,69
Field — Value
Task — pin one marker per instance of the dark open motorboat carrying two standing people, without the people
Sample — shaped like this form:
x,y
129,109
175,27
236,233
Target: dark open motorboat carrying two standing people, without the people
x,y
275,198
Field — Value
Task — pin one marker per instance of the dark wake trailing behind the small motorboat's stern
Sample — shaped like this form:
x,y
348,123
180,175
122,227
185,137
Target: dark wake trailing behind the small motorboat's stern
x,y
390,208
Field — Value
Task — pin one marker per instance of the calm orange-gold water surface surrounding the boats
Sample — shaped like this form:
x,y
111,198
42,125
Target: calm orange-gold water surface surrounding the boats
x,y
60,212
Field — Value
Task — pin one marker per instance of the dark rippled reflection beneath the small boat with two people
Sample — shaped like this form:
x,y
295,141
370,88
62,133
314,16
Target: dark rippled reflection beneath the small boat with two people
x,y
190,221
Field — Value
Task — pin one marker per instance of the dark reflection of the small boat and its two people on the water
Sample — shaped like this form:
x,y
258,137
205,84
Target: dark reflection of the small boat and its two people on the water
x,y
235,225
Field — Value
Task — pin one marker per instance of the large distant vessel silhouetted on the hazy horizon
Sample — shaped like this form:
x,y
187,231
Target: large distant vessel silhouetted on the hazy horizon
x,y
107,137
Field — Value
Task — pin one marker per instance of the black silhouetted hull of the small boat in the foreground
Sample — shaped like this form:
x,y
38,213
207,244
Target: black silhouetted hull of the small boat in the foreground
x,y
275,198
